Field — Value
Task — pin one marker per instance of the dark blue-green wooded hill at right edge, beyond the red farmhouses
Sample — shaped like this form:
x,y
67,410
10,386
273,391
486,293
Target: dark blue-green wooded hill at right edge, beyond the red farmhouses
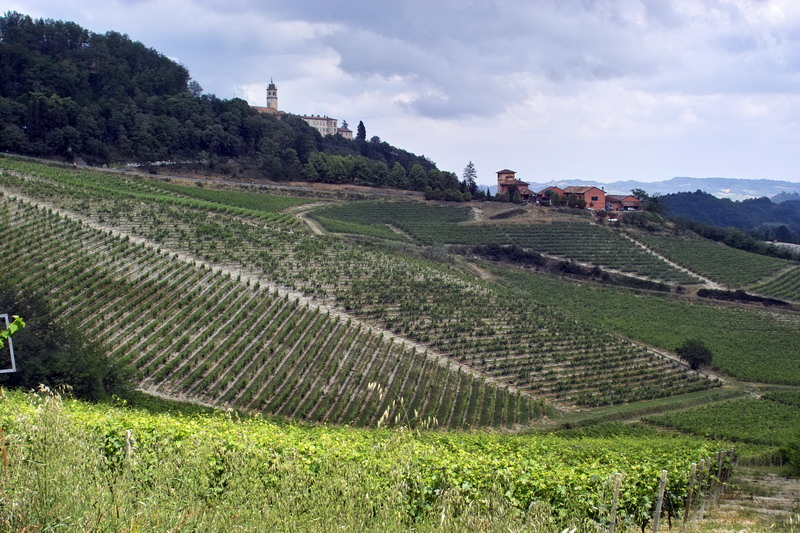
x,y
760,217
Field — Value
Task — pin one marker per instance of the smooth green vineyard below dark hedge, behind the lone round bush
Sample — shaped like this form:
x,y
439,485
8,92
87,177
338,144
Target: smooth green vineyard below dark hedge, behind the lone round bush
x,y
750,344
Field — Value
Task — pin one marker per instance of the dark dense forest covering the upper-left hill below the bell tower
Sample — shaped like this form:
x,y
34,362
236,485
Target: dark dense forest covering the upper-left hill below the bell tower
x,y
67,93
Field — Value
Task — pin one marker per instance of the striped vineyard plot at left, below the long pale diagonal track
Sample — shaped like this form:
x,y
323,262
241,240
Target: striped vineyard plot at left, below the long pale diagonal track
x,y
226,341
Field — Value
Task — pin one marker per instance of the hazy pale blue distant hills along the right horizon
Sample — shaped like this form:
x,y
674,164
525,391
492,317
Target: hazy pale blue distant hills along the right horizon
x,y
734,189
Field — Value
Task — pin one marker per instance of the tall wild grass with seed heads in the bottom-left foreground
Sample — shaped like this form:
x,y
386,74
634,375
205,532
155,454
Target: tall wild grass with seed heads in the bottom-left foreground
x,y
60,476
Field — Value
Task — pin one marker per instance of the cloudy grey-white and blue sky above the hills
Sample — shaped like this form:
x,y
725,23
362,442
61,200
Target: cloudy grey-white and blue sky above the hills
x,y
554,89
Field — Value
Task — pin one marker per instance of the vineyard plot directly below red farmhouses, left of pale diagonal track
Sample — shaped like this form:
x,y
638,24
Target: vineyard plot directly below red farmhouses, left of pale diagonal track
x,y
579,241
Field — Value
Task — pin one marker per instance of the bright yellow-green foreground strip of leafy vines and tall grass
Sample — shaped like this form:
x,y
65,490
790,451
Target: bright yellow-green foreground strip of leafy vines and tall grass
x,y
67,466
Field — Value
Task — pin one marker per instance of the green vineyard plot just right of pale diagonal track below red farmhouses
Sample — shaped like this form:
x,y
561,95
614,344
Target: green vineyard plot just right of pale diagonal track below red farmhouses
x,y
728,266
